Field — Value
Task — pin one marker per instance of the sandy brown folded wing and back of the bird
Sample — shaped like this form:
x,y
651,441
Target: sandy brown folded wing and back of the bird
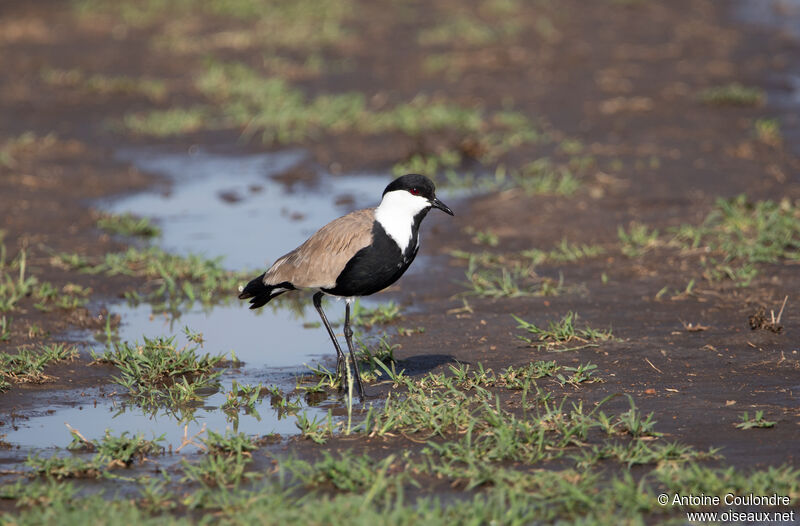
x,y
319,261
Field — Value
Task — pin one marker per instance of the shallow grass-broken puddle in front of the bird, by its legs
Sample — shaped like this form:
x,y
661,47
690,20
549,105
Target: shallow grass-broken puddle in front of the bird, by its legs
x,y
226,328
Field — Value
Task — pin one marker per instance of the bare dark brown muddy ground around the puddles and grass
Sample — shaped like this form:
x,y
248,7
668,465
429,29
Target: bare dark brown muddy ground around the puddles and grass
x,y
620,77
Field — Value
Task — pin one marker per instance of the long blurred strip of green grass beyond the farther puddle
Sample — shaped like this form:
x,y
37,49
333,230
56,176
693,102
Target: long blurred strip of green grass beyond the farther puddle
x,y
282,114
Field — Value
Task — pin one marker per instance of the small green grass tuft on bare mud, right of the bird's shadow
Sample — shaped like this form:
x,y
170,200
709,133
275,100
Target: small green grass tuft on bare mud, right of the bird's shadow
x,y
561,333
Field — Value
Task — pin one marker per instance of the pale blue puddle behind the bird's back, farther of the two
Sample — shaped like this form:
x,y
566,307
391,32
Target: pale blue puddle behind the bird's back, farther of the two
x,y
222,205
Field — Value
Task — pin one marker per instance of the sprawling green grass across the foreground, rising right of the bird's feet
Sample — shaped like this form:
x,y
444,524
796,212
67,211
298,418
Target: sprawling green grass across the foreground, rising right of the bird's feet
x,y
510,455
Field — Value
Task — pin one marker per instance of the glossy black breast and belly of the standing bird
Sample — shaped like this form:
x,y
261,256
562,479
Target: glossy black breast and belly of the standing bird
x,y
375,267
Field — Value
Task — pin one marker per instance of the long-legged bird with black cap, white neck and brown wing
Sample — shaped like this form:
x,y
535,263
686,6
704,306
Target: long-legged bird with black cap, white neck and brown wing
x,y
356,255
